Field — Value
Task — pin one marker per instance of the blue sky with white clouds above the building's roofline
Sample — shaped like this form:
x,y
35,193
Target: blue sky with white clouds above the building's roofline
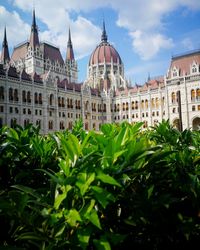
x,y
146,33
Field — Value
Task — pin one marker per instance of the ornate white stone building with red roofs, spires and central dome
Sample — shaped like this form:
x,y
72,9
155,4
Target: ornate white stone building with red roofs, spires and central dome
x,y
38,86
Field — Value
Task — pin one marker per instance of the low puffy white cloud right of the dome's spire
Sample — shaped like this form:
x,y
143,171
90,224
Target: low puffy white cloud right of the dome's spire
x,y
148,45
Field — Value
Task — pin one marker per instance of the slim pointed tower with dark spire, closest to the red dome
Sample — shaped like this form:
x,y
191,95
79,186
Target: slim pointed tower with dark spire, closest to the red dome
x,y
71,64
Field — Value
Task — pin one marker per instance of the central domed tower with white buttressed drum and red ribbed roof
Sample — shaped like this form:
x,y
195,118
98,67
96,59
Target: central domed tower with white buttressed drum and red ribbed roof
x,y
105,68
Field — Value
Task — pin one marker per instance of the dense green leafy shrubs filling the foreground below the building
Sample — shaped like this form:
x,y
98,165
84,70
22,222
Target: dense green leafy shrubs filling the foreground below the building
x,y
78,190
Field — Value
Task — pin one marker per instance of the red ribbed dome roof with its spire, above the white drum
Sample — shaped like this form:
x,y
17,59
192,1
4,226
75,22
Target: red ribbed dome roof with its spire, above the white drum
x,y
104,52
